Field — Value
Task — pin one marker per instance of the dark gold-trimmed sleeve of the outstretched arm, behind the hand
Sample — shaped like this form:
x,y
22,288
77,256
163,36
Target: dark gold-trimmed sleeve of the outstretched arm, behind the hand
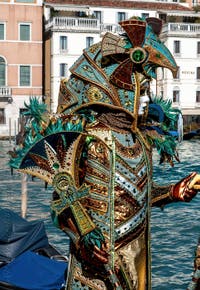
x,y
161,195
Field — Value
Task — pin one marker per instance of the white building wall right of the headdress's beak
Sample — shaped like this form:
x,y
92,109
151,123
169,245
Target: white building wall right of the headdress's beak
x,y
187,60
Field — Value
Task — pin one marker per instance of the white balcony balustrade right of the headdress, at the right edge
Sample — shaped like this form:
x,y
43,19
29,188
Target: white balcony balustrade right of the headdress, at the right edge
x,y
181,28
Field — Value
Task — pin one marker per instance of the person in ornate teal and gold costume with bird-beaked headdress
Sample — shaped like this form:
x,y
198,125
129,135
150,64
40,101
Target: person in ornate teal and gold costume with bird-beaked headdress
x,y
96,152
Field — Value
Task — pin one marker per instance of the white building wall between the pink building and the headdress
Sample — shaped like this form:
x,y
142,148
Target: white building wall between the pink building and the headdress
x,y
76,39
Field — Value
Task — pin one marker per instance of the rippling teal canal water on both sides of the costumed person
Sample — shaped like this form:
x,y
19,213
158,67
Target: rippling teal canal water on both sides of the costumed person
x,y
174,231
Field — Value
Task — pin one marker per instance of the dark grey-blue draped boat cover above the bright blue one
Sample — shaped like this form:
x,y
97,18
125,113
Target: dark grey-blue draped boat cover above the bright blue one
x,y
18,235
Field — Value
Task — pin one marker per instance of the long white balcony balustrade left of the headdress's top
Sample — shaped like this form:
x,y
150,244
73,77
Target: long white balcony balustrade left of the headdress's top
x,y
79,24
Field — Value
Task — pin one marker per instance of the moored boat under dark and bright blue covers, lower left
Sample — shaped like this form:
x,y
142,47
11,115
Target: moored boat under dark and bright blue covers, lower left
x,y
27,260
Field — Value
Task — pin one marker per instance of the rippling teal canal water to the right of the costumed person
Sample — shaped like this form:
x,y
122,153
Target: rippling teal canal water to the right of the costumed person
x,y
176,229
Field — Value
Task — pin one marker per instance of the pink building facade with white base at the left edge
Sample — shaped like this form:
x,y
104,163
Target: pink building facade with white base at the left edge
x,y
16,53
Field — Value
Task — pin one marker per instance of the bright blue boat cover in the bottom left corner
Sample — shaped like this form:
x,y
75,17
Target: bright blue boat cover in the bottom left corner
x,y
31,271
